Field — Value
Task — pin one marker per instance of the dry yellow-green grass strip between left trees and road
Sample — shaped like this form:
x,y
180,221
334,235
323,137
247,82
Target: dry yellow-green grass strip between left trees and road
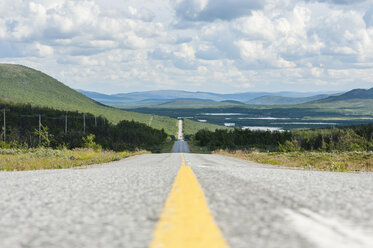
x,y
46,158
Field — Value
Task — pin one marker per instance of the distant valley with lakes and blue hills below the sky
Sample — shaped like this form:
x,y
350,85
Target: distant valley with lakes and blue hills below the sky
x,y
253,110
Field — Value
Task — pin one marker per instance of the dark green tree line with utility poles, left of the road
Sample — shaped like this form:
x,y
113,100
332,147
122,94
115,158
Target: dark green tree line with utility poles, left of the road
x,y
73,129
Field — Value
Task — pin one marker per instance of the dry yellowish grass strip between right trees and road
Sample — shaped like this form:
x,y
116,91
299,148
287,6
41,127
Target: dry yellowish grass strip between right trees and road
x,y
341,162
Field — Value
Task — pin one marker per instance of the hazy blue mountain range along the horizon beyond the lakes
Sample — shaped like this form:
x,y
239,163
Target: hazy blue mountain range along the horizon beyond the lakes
x,y
171,98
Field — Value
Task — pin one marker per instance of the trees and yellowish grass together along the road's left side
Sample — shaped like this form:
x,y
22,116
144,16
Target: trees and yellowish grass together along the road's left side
x,y
70,139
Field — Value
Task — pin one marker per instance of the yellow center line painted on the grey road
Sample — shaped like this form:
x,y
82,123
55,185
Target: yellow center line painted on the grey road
x,y
186,220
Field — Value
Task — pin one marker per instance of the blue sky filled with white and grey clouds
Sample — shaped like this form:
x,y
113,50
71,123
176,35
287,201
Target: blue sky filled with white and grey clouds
x,y
224,46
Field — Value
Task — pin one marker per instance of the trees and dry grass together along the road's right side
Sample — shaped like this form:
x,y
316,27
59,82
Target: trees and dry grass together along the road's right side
x,y
334,149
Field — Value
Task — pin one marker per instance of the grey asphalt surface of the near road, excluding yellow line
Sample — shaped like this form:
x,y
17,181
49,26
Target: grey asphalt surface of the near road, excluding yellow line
x,y
118,204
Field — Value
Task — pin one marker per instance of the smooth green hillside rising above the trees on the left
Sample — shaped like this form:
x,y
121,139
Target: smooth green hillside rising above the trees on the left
x,y
21,84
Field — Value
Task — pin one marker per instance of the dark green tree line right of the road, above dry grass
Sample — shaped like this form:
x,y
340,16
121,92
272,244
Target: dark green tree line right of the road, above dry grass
x,y
357,138
